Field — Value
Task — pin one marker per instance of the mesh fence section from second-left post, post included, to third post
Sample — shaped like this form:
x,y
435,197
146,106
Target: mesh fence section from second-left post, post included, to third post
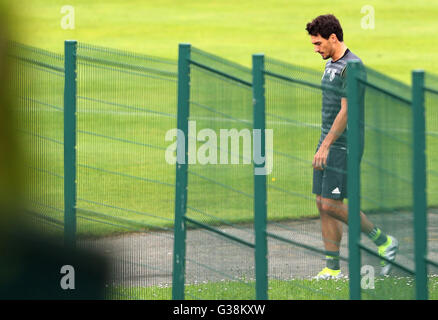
x,y
214,233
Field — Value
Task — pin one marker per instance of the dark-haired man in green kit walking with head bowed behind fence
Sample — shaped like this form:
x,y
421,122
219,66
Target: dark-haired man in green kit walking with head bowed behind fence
x,y
330,160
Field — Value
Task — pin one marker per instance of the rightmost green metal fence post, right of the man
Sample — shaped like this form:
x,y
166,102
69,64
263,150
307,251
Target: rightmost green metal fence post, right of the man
x,y
419,185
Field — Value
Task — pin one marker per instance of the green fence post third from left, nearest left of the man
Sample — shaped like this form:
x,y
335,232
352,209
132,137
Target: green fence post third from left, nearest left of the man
x,y
260,212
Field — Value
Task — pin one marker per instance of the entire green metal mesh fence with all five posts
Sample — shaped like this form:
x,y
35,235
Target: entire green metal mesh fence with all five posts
x,y
101,123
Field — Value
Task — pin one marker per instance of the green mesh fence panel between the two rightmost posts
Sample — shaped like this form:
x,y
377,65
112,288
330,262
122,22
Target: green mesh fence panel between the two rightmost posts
x,y
387,181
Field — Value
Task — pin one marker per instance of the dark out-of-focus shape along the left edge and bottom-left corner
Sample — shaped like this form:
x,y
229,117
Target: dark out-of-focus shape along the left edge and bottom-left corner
x,y
32,265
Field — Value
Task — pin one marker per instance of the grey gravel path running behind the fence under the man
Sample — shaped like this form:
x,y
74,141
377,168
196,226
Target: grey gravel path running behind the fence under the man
x,y
145,259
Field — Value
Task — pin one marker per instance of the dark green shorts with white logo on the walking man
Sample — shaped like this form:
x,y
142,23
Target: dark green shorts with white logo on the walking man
x,y
331,182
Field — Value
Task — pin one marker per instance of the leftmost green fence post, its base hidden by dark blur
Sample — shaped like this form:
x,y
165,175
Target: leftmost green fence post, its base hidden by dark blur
x,y
70,143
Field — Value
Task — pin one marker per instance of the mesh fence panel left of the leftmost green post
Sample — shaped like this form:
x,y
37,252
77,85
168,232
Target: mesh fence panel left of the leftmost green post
x,y
37,87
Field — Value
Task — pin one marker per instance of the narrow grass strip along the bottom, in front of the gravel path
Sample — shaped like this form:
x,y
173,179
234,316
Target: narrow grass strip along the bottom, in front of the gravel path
x,y
391,288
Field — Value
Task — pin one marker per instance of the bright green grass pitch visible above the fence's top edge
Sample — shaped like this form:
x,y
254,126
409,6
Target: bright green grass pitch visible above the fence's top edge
x,y
399,43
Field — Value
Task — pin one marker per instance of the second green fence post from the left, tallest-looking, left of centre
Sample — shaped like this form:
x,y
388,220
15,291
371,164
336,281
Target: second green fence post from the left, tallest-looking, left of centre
x,y
179,246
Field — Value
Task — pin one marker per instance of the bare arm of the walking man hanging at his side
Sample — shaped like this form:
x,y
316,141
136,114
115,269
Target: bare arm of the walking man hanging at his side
x,y
335,132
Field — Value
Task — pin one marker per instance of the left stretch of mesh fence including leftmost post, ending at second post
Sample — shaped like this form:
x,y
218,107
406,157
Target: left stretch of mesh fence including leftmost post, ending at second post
x,y
95,141
